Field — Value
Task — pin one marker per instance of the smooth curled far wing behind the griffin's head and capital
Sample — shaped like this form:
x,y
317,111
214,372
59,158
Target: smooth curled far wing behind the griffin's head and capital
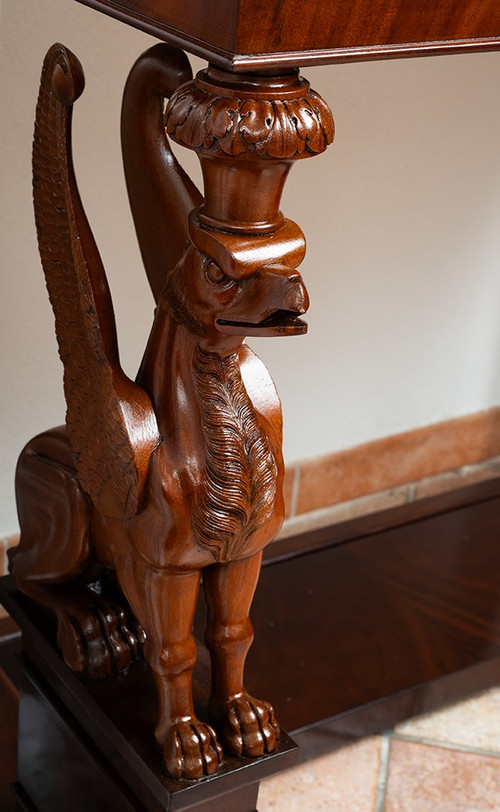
x,y
161,194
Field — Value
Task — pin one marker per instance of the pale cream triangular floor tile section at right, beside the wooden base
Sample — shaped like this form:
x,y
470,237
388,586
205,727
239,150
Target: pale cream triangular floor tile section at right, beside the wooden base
x,y
470,723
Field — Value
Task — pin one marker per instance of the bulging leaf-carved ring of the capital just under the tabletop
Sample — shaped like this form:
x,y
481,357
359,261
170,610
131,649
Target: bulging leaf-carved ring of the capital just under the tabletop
x,y
282,118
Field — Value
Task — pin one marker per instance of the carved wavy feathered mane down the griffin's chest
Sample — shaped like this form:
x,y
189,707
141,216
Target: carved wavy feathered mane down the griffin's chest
x,y
237,492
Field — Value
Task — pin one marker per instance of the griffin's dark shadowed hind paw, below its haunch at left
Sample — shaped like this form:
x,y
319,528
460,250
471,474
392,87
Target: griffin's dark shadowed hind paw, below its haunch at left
x,y
95,636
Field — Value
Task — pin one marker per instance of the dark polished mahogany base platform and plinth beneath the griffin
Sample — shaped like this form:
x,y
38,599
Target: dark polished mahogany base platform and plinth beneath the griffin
x,y
382,618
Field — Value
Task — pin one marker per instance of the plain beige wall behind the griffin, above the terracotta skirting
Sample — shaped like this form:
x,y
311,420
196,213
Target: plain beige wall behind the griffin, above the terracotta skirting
x,y
402,219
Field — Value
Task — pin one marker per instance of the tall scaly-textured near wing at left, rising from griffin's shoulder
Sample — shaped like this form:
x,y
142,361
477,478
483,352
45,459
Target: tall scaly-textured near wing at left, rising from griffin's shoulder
x,y
110,420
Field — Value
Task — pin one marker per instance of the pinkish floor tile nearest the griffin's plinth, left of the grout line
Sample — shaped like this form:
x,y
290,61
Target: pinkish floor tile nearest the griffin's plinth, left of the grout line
x,y
342,781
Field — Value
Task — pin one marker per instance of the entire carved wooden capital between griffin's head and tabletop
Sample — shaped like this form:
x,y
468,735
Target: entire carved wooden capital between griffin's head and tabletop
x,y
247,131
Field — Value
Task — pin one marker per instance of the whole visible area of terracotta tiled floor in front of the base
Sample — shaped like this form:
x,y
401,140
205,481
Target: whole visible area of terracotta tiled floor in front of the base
x,y
448,761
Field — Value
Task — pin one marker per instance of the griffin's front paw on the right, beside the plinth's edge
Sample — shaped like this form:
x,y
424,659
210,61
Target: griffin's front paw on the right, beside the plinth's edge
x,y
247,726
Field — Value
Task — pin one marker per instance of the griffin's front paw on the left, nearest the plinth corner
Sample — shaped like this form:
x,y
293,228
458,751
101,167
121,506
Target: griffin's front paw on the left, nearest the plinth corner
x,y
191,750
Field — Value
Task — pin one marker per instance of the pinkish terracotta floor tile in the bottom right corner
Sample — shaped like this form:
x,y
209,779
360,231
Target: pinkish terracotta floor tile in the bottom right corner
x,y
423,778
